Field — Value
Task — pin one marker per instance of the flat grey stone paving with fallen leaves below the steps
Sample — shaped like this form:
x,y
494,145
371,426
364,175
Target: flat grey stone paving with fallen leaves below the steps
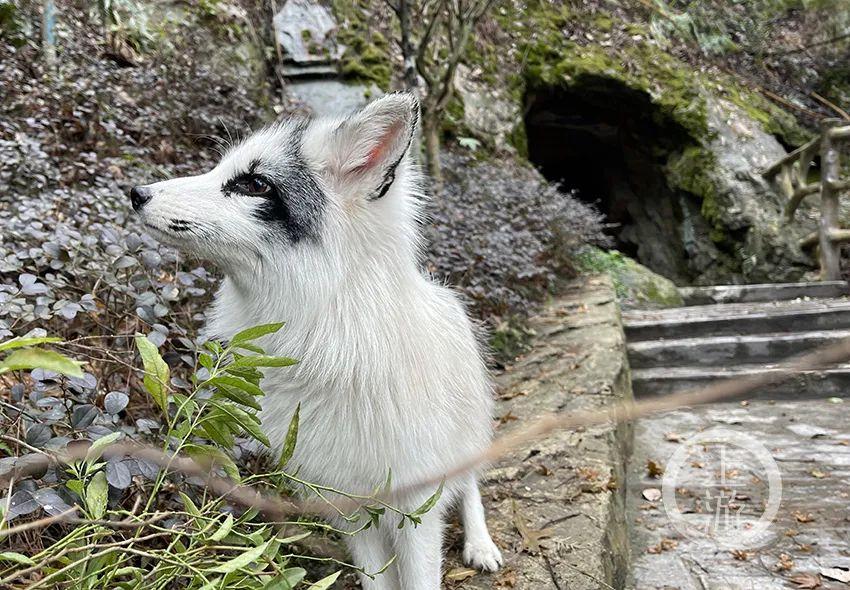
x,y
810,444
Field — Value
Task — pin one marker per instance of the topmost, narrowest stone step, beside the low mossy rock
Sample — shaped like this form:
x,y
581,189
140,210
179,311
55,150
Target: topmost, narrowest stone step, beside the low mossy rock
x,y
764,292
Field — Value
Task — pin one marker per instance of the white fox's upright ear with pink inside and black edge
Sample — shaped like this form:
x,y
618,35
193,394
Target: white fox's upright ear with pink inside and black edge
x,y
367,148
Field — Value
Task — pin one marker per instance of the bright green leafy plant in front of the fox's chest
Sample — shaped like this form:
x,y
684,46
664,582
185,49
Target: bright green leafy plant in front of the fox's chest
x,y
180,531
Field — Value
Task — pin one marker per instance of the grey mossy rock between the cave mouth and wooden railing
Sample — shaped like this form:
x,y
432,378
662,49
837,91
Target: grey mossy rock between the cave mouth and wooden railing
x,y
739,234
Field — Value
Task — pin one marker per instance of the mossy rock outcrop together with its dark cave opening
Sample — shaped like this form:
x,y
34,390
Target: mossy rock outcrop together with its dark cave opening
x,y
685,142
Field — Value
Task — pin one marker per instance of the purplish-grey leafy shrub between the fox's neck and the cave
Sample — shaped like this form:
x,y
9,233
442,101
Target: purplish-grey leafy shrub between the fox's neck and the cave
x,y
505,236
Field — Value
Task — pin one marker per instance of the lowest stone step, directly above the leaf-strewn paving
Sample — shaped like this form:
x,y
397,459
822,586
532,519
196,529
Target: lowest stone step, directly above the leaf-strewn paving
x,y
833,382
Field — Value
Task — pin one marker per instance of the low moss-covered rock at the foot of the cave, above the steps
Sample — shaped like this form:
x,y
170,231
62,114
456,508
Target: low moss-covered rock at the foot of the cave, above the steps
x,y
634,283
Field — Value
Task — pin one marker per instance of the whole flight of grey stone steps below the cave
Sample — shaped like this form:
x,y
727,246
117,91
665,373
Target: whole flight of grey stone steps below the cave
x,y
731,331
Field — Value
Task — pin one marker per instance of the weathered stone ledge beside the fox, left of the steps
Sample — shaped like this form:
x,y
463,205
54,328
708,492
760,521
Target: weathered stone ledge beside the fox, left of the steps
x,y
556,506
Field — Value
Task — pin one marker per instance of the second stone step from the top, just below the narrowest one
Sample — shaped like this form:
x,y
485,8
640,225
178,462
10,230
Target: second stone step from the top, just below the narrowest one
x,y
732,319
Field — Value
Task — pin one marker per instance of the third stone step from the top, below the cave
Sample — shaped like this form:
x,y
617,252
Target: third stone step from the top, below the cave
x,y
728,350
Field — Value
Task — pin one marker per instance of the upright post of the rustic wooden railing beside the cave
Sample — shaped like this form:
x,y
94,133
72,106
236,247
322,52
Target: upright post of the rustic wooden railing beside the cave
x,y
830,170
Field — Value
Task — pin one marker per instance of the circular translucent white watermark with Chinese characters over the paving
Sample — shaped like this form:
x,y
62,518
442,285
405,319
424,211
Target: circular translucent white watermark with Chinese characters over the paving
x,y
739,469
